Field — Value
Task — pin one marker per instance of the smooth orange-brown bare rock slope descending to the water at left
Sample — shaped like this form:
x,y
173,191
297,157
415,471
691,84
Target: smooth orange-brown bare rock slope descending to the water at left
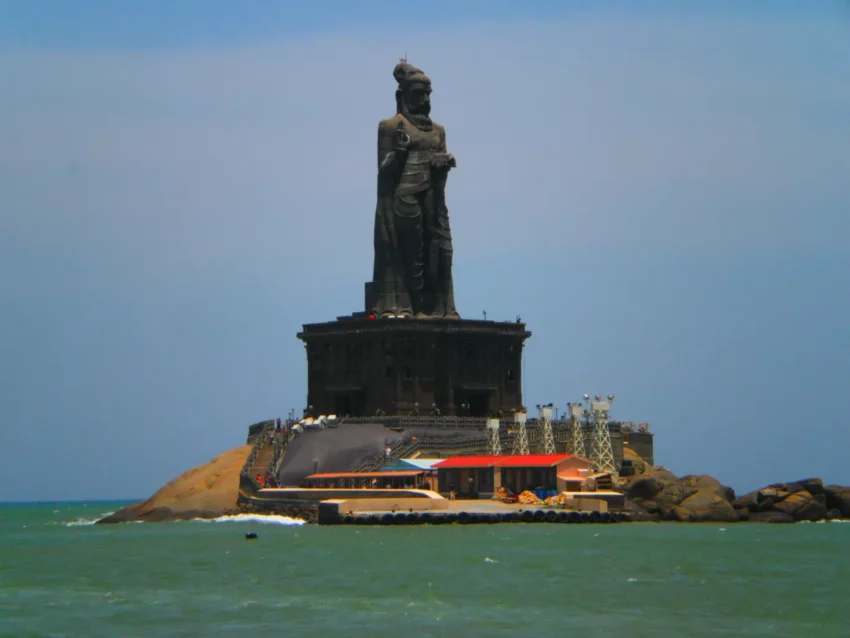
x,y
205,491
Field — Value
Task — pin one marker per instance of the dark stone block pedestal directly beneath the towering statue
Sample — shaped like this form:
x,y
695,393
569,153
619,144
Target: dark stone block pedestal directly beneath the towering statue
x,y
362,366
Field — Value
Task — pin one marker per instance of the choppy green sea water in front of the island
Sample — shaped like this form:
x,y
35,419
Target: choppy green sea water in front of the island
x,y
61,576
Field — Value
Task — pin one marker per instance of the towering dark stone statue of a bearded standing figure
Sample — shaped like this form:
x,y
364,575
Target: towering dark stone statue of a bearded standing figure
x,y
412,274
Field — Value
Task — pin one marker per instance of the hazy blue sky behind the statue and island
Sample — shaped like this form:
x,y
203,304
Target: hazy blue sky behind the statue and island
x,y
659,189
